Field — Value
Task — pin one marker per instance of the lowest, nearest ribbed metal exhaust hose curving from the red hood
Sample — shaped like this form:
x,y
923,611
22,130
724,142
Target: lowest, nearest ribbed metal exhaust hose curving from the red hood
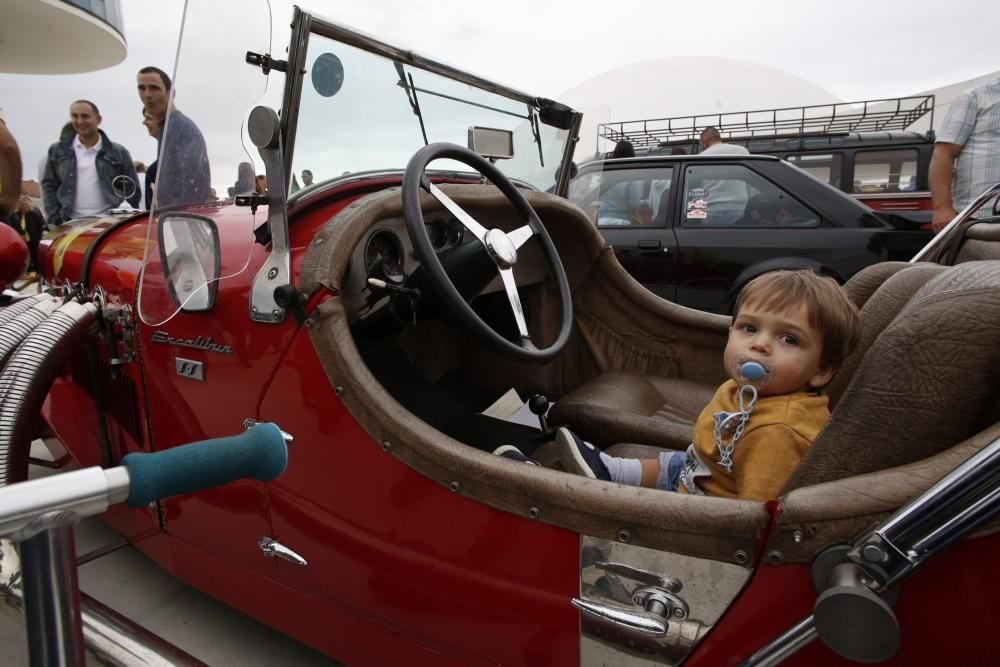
x,y
27,377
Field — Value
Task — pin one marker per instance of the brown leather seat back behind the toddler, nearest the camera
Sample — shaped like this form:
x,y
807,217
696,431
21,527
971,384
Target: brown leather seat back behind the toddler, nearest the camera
x,y
928,381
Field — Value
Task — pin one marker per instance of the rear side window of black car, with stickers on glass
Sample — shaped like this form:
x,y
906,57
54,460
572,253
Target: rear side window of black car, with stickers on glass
x,y
728,195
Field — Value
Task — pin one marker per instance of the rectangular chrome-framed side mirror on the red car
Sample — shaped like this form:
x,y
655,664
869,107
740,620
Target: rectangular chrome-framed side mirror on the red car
x,y
189,249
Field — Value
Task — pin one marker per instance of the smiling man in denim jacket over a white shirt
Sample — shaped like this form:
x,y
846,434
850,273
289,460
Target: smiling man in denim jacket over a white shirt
x,y
81,171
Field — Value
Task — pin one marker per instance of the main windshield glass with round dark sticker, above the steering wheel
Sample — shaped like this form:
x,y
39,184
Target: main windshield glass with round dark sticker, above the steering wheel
x,y
358,112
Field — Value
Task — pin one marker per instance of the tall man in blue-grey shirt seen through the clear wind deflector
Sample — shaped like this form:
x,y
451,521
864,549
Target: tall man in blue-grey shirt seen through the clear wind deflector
x,y
183,175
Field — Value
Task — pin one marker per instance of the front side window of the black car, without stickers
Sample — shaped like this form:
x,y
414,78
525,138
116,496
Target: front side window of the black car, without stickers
x,y
624,197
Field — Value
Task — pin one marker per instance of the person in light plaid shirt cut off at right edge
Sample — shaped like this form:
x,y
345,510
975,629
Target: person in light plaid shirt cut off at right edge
x,y
966,157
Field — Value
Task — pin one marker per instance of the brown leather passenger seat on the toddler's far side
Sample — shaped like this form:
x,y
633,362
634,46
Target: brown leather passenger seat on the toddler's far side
x,y
628,407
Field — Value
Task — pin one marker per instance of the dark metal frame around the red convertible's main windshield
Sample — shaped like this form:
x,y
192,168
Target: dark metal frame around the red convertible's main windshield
x,y
304,25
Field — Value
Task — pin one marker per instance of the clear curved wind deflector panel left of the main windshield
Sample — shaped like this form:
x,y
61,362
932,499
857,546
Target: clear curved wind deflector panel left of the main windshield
x,y
198,115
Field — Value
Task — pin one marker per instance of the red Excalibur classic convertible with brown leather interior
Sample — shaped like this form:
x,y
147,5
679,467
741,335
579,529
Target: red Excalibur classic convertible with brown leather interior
x,y
378,313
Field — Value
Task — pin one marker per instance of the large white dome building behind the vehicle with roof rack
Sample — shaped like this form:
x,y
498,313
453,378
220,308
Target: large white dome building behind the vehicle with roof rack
x,y
684,86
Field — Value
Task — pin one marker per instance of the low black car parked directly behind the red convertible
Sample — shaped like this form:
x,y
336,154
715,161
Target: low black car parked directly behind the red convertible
x,y
695,229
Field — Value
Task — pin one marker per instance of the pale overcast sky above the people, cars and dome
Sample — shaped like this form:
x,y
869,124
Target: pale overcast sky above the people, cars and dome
x,y
855,49
